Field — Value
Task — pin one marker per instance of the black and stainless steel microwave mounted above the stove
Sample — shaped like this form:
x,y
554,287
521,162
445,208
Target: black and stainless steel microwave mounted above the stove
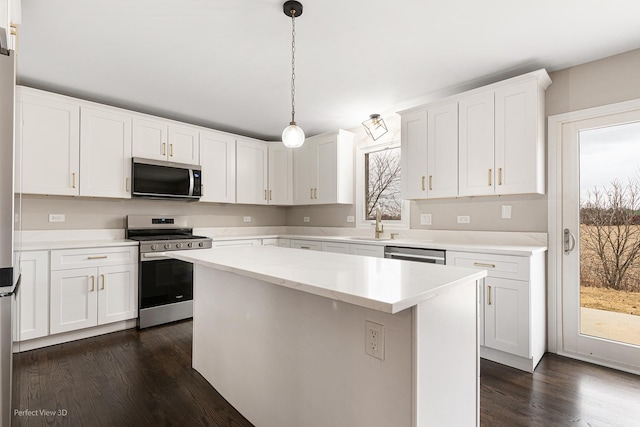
x,y
159,179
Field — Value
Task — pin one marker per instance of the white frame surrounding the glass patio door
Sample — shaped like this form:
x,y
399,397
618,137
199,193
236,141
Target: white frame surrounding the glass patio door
x,y
555,226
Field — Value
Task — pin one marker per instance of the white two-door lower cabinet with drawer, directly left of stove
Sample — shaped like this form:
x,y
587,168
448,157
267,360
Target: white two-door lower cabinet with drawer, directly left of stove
x,y
103,290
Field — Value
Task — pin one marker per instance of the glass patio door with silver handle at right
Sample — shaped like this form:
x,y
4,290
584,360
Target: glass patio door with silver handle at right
x,y
601,236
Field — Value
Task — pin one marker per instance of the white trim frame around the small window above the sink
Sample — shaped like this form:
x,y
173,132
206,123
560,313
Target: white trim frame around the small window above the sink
x,y
361,150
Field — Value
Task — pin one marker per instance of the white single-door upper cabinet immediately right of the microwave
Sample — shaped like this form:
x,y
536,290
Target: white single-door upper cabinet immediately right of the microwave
x,y
218,161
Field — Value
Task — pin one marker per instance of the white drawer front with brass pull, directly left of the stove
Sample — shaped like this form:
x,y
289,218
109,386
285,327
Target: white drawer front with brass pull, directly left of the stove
x,y
93,257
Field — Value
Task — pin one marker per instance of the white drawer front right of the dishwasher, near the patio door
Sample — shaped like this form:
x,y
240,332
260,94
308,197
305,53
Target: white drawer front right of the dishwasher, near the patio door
x,y
505,266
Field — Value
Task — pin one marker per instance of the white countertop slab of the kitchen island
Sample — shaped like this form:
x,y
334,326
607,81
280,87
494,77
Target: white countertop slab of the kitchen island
x,y
377,283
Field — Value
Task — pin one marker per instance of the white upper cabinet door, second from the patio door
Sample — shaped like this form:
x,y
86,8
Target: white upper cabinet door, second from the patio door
x,y
477,135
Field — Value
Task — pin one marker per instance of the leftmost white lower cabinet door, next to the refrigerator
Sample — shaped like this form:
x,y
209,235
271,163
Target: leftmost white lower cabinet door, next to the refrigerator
x,y
33,297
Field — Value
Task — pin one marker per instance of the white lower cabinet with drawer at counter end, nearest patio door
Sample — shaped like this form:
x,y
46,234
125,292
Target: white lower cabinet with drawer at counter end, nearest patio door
x,y
513,310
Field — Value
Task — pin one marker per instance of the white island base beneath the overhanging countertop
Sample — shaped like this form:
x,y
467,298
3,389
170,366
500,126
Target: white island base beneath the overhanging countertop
x,y
284,357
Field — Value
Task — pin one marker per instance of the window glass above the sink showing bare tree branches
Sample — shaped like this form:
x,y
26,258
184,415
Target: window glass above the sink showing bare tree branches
x,y
382,184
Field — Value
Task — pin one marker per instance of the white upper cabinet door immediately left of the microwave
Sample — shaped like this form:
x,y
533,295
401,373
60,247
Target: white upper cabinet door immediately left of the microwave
x,y
105,153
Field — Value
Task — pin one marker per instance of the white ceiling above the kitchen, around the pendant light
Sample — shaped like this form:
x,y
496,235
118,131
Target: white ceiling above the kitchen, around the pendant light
x,y
225,64
